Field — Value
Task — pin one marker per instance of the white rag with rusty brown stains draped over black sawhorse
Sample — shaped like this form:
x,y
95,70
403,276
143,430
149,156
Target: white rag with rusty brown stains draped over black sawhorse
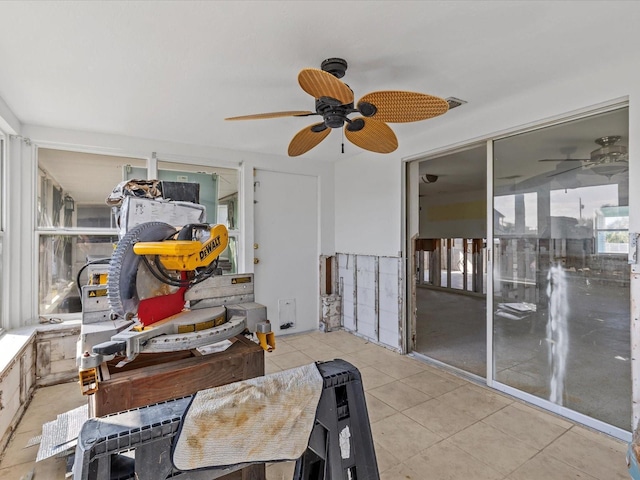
x,y
263,419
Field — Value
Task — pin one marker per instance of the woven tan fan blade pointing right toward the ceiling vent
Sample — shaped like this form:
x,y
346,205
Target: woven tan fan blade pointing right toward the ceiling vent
x,y
398,107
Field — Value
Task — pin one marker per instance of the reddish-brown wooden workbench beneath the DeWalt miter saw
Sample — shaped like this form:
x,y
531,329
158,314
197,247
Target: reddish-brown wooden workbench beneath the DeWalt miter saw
x,y
153,378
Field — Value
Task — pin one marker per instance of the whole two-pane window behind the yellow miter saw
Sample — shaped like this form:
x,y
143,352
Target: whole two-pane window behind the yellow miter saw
x,y
77,230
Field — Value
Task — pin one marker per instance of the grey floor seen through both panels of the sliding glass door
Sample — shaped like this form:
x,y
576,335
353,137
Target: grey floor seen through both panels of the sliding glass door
x,y
451,328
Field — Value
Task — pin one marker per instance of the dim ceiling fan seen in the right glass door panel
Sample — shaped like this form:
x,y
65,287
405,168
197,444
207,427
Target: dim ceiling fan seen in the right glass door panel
x,y
608,160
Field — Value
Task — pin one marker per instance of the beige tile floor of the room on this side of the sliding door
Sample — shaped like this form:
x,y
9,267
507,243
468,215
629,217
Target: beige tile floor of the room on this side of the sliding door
x,y
426,423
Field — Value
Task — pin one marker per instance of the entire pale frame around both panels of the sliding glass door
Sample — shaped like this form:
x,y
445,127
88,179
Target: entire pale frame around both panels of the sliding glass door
x,y
409,217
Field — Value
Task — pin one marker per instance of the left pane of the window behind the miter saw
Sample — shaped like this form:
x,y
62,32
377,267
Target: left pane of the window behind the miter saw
x,y
74,224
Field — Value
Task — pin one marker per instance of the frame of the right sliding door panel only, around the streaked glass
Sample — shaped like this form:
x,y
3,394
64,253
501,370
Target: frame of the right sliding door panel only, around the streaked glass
x,y
634,213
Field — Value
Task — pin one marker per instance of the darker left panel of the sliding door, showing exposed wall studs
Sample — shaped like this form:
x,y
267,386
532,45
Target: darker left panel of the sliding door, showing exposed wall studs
x,y
451,266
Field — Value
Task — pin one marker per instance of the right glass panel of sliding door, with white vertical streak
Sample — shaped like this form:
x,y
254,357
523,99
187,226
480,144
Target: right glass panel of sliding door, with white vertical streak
x,y
561,296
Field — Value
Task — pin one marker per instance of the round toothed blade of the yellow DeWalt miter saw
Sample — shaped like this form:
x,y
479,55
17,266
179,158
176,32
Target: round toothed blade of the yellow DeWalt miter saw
x,y
126,285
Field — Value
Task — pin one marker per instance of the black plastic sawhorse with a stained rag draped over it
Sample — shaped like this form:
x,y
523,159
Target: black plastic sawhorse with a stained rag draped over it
x,y
340,445
